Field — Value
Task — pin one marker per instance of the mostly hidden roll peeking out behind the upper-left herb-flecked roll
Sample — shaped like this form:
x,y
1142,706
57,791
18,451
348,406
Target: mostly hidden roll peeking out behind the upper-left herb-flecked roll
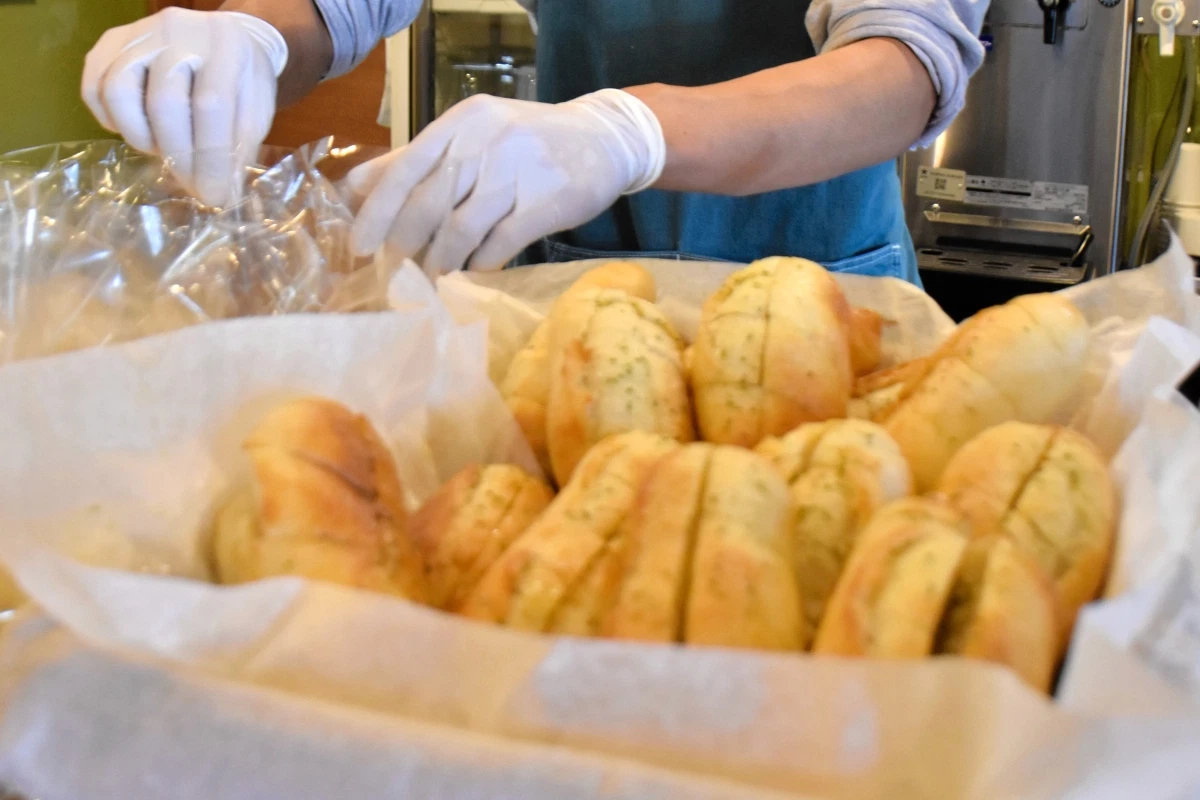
x,y
526,387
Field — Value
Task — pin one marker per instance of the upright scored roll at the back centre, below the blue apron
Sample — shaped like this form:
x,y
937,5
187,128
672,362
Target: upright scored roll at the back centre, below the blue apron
x,y
773,352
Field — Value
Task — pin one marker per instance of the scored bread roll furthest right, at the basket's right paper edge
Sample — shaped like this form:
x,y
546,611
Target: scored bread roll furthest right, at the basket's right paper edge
x,y
1049,491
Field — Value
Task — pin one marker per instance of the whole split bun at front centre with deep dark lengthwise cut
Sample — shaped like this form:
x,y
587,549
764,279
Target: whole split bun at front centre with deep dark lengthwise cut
x,y
707,555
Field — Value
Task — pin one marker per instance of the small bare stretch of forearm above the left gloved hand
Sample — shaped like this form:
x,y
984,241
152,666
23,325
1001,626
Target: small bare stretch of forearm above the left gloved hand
x,y
310,47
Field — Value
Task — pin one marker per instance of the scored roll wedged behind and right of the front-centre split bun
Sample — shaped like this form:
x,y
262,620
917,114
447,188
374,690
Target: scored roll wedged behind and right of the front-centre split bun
x,y
841,473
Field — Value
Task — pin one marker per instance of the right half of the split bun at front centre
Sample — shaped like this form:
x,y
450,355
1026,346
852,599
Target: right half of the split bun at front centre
x,y
742,590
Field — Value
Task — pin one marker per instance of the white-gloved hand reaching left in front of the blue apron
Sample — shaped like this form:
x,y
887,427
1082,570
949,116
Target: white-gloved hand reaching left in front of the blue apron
x,y
494,176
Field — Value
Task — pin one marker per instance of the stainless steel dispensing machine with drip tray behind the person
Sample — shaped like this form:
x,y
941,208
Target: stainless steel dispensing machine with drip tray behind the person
x,y
1027,191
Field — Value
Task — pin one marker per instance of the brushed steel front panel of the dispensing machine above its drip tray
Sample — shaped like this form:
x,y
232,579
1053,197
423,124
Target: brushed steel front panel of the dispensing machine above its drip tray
x,y
1037,112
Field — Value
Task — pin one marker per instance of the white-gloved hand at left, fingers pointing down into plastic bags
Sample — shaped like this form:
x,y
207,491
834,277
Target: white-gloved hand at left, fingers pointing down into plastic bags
x,y
197,87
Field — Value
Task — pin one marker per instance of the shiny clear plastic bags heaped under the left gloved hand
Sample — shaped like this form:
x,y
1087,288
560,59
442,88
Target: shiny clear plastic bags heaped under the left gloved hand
x,y
100,245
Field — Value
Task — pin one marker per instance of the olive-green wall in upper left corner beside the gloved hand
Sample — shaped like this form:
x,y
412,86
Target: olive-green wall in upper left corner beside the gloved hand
x,y
41,62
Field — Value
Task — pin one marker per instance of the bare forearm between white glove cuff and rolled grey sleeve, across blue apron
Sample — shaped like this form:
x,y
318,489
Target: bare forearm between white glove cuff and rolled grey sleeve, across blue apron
x,y
794,125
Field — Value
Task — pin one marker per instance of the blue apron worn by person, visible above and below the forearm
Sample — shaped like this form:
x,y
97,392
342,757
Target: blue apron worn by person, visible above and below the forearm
x,y
854,224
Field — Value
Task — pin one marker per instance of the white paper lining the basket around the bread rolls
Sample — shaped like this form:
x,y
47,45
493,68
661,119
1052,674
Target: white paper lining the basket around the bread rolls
x,y
129,683
